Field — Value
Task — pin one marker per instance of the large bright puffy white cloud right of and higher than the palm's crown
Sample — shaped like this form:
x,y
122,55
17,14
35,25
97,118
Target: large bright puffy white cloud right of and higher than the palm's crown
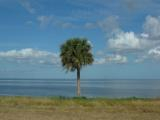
x,y
129,41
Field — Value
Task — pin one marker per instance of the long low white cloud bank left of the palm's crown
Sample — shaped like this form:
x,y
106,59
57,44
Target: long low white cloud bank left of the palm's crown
x,y
30,55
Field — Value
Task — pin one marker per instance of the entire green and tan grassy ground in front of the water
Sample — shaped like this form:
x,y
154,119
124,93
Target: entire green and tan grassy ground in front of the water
x,y
62,108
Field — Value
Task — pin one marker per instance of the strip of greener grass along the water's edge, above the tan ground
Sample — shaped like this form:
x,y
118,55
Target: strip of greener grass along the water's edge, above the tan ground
x,y
75,101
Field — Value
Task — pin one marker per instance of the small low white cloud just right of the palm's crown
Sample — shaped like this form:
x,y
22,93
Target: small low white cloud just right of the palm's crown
x,y
113,58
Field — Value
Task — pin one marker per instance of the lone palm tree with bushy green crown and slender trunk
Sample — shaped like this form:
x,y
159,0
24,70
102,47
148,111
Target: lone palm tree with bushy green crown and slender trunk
x,y
76,53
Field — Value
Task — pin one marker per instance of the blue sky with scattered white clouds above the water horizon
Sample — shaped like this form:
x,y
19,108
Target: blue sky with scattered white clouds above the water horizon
x,y
124,34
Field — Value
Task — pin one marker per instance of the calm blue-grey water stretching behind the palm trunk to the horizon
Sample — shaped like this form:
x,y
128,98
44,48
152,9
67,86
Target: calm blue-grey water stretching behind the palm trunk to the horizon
x,y
89,88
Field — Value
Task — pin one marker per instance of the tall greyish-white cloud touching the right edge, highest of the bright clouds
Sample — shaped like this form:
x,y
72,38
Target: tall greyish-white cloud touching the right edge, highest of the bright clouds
x,y
152,27
